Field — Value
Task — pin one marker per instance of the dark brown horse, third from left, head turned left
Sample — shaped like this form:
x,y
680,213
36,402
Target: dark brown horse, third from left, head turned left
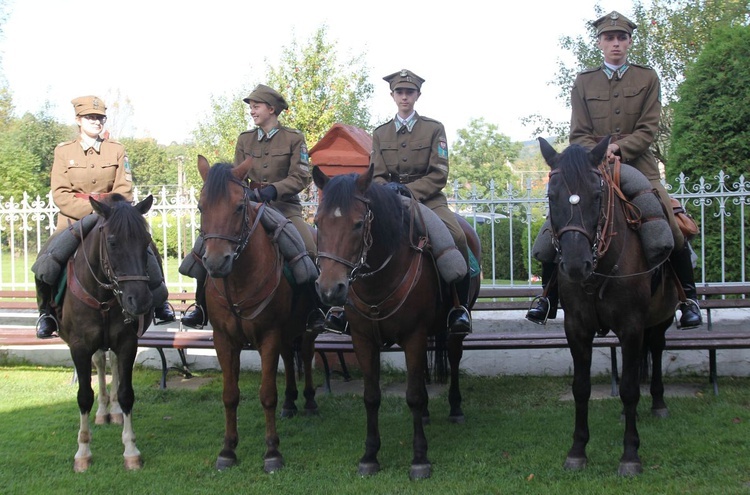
x,y
392,294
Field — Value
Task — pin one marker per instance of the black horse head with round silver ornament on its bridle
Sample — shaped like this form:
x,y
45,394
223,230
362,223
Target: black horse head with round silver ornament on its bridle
x,y
575,192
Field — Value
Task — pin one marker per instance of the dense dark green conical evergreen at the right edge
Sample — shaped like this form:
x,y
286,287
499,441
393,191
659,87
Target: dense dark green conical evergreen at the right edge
x,y
707,136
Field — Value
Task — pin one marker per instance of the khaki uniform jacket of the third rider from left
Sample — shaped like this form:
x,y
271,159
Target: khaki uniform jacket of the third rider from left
x,y
418,158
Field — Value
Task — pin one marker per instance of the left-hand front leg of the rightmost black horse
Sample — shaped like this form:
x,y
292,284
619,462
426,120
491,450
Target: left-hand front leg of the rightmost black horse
x,y
580,350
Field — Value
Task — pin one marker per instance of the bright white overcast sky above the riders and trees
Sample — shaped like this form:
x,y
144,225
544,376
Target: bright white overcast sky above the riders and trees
x,y
480,58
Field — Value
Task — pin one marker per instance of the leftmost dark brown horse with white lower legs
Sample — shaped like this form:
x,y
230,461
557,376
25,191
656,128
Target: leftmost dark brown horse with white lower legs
x,y
107,295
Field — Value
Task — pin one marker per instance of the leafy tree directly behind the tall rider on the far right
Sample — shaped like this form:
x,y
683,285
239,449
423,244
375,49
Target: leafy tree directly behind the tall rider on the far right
x,y
670,35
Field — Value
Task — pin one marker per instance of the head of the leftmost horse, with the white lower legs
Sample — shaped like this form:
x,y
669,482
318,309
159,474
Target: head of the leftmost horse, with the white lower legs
x,y
122,247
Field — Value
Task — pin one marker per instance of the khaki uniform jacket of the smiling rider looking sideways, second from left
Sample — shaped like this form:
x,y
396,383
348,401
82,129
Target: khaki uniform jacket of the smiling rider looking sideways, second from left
x,y
281,161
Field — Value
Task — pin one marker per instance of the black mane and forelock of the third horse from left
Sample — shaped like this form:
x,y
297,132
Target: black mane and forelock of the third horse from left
x,y
389,218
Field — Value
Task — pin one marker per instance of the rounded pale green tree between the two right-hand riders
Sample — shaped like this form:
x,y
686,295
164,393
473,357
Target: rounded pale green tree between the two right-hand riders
x,y
481,154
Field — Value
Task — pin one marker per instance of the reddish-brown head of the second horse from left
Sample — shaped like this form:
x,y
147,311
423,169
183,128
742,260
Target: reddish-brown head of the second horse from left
x,y
225,214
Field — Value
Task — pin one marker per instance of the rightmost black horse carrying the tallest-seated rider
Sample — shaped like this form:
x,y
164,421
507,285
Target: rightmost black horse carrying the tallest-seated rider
x,y
605,284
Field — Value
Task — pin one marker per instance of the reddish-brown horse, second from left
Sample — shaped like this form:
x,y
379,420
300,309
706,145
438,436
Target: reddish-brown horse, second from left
x,y
250,302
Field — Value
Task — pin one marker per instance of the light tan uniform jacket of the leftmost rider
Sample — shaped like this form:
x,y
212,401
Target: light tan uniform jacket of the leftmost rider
x,y
75,171
